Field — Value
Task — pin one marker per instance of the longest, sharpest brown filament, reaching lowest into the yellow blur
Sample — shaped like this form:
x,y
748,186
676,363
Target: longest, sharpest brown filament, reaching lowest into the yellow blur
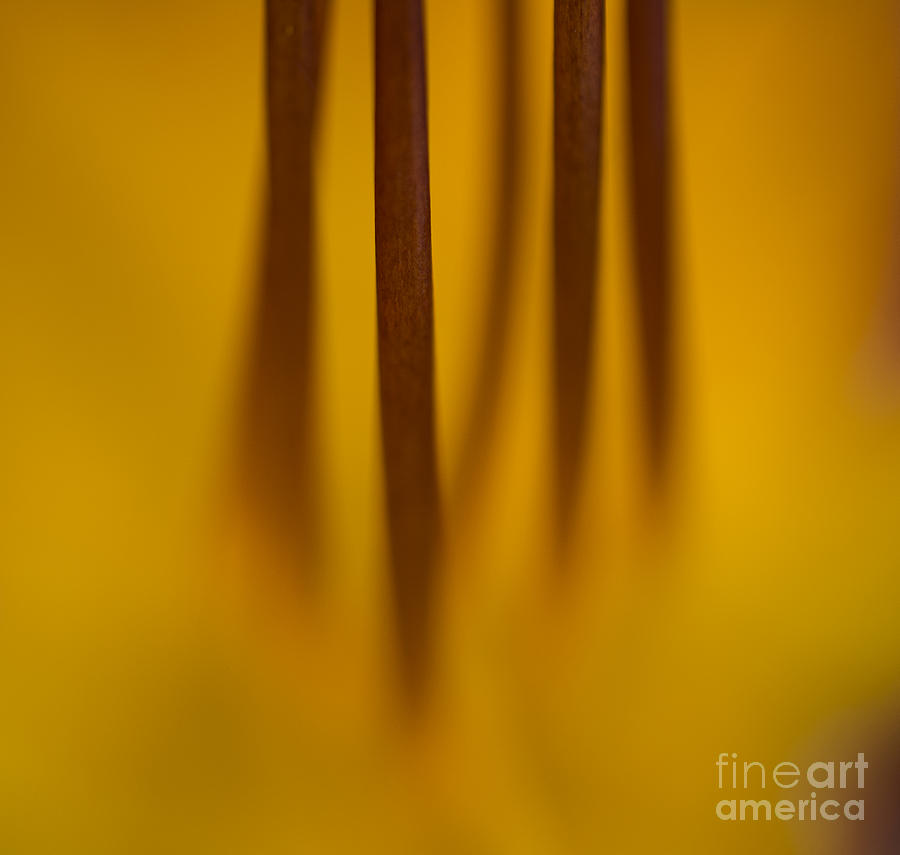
x,y
405,318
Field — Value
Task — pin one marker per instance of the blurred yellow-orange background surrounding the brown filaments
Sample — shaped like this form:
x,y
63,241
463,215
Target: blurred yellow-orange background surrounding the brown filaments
x,y
167,689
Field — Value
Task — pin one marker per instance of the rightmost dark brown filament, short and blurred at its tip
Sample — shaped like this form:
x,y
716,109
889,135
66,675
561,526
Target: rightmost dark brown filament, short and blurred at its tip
x,y
650,165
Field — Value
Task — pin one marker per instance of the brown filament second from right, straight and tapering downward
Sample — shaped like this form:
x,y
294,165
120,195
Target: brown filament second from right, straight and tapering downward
x,y
578,65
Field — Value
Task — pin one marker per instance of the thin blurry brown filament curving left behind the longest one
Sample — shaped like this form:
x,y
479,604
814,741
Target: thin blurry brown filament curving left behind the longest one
x,y
494,345
